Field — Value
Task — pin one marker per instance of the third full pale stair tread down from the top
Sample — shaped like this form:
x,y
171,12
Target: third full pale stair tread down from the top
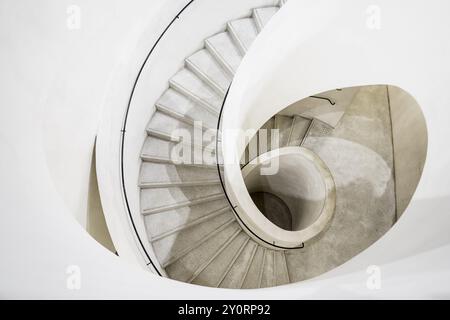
x,y
222,47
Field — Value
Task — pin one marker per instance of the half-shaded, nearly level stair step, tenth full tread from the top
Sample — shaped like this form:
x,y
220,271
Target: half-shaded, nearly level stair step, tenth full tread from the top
x,y
161,199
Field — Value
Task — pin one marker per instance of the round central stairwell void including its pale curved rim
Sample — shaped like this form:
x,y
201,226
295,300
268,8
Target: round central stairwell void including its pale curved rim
x,y
298,178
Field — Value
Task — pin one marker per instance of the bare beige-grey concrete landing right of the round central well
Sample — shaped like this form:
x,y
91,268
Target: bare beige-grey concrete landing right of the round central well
x,y
359,155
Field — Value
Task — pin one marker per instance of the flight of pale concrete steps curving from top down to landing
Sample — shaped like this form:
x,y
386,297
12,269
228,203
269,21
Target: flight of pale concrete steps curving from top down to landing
x,y
189,221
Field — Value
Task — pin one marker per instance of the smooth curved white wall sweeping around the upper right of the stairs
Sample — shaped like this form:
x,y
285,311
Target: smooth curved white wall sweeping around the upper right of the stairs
x,y
339,50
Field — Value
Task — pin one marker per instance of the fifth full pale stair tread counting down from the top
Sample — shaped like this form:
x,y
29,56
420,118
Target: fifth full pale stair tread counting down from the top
x,y
187,83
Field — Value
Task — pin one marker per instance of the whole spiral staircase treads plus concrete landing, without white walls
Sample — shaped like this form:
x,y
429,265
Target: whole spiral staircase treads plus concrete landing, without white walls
x,y
192,227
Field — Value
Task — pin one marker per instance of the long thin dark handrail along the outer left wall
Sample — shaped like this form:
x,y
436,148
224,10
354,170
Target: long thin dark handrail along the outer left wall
x,y
123,132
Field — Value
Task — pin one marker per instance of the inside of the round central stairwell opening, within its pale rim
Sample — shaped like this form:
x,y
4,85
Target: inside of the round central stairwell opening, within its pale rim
x,y
293,197
